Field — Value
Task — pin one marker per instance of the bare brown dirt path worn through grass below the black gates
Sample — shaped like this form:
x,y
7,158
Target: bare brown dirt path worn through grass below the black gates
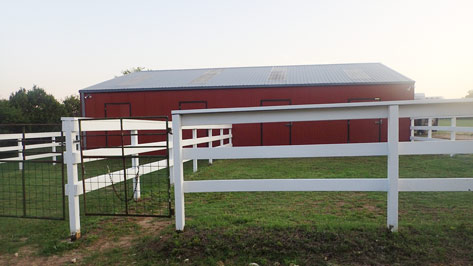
x,y
26,255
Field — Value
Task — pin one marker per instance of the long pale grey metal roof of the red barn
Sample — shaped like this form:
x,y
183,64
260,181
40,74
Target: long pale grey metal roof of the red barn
x,y
252,77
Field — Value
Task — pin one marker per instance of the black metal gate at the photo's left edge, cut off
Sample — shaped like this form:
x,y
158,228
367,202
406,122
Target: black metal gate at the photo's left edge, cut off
x,y
32,171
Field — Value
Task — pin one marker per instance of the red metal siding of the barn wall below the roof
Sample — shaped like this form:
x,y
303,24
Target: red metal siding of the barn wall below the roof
x,y
158,103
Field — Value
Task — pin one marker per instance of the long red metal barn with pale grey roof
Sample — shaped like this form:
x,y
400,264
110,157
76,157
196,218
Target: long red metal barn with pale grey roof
x,y
156,93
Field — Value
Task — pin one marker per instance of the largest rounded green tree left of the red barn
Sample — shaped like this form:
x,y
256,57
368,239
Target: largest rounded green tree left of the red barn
x,y
37,106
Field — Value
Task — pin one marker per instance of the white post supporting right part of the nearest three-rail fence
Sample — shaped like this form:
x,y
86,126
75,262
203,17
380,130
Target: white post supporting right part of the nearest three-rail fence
x,y
393,167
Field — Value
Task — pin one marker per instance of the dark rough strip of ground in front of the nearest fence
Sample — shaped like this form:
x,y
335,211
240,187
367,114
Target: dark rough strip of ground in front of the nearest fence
x,y
283,246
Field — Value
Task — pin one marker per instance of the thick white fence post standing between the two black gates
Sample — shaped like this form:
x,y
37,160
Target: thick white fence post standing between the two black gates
x,y
71,158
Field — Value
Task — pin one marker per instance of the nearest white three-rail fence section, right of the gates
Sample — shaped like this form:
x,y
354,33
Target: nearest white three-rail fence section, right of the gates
x,y
322,112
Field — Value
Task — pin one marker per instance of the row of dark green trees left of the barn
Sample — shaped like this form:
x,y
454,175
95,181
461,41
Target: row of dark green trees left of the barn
x,y
35,106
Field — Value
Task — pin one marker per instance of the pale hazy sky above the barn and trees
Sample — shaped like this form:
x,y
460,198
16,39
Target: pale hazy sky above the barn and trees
x,y
64,46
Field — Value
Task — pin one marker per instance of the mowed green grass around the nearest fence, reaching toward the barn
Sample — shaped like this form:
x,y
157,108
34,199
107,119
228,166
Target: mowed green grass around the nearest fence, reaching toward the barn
x,y
272,228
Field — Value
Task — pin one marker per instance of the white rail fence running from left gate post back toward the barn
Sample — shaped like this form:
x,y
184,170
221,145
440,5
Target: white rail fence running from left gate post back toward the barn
x,y
72,156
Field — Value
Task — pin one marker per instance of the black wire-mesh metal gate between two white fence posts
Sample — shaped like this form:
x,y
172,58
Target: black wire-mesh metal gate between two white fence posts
x,y
125,167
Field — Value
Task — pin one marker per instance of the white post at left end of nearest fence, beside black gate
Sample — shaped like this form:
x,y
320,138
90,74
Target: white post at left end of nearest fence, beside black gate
x,y
178,173
